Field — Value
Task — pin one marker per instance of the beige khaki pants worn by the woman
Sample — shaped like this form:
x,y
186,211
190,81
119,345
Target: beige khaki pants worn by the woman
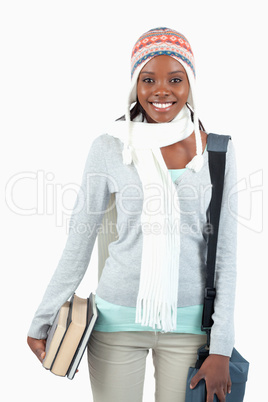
x,y
117,364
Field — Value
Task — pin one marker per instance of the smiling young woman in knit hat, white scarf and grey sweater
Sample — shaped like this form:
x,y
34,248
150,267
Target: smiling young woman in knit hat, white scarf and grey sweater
x,y
154,162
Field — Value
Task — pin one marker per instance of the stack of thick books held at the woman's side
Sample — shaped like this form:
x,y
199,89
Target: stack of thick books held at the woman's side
x,y
69,335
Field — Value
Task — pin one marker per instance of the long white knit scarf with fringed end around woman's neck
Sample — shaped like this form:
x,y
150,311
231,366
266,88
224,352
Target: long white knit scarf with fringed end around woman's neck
x,y
160,219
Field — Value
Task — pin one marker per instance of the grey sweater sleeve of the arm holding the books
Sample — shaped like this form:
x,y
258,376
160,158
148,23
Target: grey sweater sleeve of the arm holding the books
x,y
92,200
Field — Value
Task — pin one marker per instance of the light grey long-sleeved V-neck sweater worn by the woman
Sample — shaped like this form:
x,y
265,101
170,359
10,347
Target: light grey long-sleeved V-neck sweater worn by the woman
x,y
105,174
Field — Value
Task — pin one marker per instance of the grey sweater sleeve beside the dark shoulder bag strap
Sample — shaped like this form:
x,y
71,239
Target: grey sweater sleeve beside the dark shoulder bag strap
x,y
222,332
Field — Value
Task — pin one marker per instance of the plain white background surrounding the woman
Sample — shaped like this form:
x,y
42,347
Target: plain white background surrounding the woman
x,y
64,75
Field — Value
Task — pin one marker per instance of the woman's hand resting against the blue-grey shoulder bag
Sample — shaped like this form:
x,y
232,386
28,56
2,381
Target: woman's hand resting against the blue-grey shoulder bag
x,y
215,371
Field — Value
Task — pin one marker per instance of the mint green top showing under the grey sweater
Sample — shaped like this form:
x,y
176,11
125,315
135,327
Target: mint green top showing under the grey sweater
x,y
115,318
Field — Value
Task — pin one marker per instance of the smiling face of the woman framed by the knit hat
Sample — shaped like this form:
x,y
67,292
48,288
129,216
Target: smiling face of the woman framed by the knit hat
x,y
162,89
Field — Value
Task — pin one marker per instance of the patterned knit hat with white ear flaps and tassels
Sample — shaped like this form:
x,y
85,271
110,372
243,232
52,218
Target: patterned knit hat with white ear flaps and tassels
x,y
157,42
